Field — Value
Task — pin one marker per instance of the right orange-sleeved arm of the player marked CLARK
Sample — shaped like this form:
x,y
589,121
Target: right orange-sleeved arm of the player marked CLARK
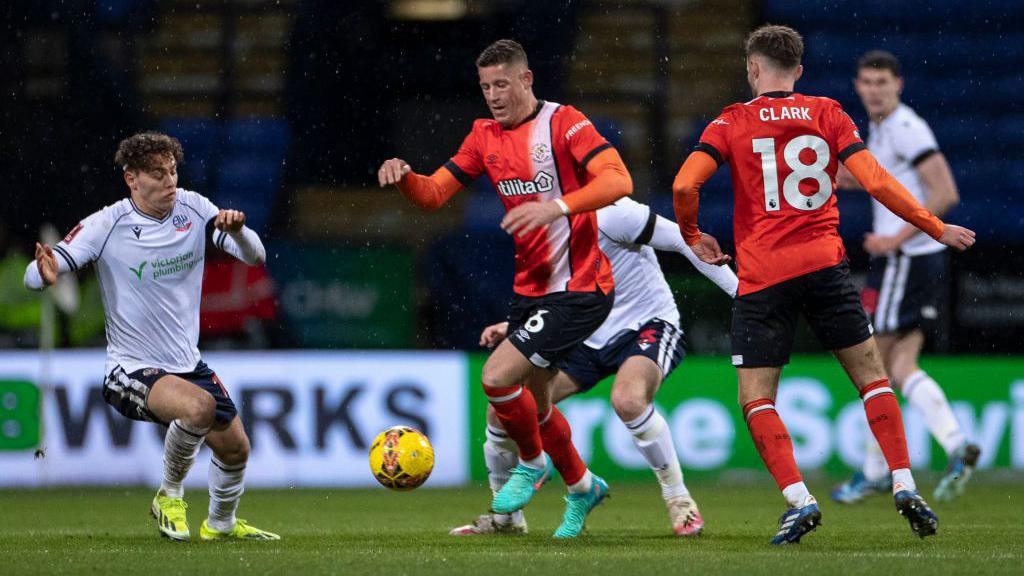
x,y
887,190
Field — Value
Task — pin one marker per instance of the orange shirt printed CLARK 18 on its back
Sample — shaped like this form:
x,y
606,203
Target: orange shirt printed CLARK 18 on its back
x,y
784,152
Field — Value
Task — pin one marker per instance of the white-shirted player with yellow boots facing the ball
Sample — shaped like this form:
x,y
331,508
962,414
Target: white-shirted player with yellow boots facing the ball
x,y
149,252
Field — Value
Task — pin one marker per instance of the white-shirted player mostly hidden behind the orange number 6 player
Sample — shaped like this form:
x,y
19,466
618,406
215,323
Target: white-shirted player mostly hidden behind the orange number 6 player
x,y
639,344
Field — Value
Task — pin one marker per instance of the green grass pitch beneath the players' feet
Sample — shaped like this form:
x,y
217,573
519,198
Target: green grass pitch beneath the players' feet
x,y
103,531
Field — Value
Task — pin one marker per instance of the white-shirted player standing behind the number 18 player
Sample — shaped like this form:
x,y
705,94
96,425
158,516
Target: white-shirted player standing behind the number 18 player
x,y
909,281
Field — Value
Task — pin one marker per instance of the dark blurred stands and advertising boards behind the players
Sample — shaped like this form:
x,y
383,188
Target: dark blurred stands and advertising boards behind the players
x,y
286,110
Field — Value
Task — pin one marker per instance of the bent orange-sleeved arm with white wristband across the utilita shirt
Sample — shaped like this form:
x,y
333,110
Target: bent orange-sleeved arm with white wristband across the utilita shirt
x,y
611,181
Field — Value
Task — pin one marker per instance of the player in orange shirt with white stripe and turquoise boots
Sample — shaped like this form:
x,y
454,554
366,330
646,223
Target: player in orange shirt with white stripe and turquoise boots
x,y
551,170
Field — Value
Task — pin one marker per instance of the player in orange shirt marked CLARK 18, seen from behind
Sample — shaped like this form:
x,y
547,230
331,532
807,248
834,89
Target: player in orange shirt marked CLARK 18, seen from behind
x,y
784,151
